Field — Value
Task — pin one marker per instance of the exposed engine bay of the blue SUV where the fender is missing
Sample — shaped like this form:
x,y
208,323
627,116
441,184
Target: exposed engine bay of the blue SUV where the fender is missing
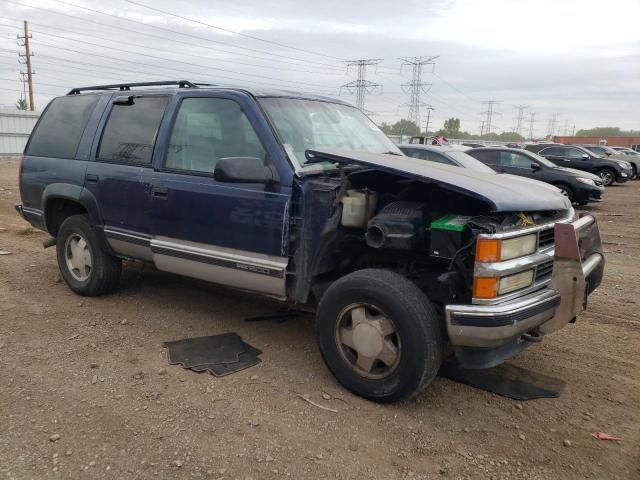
x,y
371,219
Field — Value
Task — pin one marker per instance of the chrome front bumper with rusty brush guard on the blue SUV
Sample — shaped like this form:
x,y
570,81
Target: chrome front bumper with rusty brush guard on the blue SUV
x,y
577,271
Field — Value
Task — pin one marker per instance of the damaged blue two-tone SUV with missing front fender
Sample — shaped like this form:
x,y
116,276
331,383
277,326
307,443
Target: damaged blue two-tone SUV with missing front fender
x,y
302,198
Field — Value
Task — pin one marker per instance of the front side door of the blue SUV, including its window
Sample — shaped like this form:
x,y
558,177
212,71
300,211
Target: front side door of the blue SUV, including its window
x,y
229,233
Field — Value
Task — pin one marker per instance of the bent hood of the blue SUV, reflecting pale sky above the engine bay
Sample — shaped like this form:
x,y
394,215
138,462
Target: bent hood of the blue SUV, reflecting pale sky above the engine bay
x,y
505,193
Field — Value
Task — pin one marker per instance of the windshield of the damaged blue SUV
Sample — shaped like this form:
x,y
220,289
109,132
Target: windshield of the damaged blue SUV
x,y
317,125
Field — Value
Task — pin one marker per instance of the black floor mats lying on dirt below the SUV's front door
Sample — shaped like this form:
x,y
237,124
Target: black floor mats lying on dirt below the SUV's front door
x,y
218,354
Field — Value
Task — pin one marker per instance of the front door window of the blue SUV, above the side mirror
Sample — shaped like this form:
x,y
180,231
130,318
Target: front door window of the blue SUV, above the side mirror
x,y
208,129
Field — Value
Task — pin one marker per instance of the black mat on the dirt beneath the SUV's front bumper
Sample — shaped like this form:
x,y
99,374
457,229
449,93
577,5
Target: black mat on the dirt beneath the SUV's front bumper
x,y
506,380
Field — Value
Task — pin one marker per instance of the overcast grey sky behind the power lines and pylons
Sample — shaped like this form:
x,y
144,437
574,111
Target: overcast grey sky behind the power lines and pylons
x,y
579,59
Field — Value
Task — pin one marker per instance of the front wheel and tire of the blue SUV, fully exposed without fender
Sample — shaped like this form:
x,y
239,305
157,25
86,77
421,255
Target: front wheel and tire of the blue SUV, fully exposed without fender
x,y
378,298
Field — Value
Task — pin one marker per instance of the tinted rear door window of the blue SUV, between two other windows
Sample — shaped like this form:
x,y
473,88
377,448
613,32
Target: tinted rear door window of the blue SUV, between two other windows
x,y
131,130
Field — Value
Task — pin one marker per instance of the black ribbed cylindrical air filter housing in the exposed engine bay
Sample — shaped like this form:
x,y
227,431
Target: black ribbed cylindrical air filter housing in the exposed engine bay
x,y
399,225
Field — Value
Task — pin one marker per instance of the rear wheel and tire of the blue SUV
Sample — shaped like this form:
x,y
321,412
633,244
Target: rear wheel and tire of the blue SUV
x,y
86,268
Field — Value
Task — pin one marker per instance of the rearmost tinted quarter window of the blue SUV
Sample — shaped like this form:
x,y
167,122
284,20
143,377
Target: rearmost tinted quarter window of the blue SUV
x,y
60,128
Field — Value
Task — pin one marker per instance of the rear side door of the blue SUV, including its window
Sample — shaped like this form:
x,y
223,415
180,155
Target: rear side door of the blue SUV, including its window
x,y
122,168
